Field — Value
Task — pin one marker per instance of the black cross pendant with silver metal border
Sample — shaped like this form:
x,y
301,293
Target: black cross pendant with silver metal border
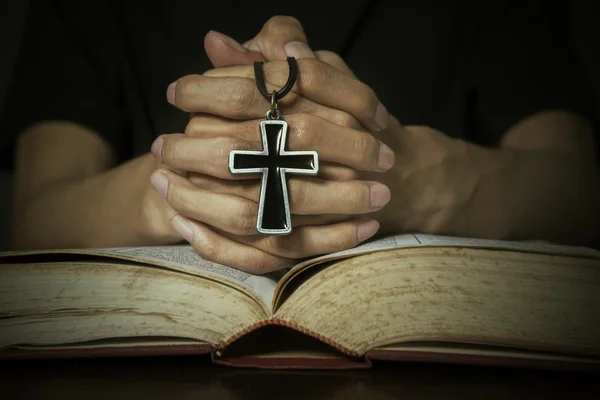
x,y
273,162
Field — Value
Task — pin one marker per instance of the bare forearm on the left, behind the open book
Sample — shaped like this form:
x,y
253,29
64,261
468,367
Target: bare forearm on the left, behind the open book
x,y
108,209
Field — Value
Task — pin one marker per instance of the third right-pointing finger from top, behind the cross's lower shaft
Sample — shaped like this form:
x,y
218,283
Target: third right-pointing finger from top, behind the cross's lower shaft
x,y
310,196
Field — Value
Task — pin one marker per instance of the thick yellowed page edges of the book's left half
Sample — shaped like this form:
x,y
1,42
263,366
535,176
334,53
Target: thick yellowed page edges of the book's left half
x,y
64,303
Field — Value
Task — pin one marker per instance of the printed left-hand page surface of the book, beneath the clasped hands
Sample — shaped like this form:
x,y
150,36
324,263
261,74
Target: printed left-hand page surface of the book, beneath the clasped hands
x,y
186,259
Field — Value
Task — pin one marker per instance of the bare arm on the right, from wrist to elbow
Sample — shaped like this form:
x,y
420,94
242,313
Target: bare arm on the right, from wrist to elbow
x,y
542,183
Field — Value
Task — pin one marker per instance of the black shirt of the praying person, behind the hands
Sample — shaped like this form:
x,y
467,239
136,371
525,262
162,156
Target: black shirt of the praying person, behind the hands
x,y
469,68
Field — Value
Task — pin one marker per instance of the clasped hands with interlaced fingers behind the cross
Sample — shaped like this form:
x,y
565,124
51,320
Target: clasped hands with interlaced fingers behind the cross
x,y
328,111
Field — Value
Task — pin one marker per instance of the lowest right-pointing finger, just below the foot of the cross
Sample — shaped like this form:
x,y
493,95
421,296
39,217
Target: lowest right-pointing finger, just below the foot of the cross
x,y
309,241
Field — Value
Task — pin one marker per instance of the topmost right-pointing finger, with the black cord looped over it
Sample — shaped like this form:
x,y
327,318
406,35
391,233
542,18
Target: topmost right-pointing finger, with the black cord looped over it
x,y
318,82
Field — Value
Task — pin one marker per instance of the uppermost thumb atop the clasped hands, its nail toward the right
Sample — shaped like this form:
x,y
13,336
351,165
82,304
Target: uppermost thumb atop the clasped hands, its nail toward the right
x,y
281,37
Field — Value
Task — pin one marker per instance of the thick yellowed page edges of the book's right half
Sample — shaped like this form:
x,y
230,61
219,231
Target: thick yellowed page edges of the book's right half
x,y
536,301
